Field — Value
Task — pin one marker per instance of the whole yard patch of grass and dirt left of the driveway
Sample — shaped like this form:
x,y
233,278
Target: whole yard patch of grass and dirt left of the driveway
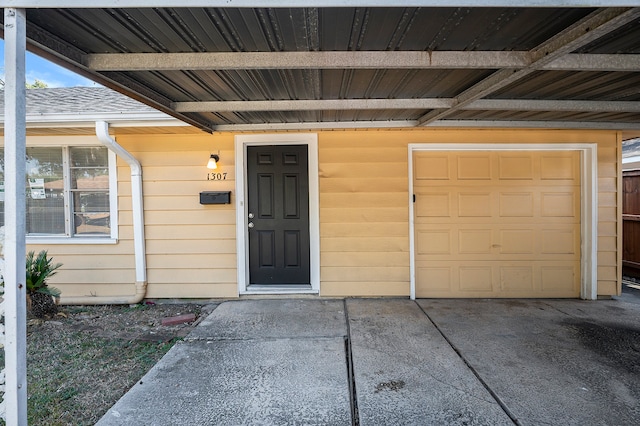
x,y
80,362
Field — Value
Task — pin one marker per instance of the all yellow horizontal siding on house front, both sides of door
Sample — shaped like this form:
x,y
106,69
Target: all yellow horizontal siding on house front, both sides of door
x,y
364,228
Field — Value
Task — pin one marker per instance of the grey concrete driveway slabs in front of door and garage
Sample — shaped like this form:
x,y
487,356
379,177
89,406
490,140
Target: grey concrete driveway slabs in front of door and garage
x,y
397,362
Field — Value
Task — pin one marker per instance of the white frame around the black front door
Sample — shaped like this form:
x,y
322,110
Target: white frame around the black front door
x,y
242,235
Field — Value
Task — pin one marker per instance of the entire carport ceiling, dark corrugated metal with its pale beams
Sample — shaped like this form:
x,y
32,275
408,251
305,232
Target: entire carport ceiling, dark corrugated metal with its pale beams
x,y
359,67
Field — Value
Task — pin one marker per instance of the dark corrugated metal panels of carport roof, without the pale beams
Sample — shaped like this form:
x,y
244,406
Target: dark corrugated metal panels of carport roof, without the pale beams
x,y
69,34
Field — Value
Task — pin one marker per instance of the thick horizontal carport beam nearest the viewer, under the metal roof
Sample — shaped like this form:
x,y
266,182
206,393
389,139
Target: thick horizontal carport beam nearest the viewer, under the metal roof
x,y
352,60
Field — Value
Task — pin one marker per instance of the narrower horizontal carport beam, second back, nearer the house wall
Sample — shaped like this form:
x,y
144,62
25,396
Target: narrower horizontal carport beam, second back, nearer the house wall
x,y
385,104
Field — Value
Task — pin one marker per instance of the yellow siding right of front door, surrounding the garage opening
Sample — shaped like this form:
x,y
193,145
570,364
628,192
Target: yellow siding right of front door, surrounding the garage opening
x,y
364,212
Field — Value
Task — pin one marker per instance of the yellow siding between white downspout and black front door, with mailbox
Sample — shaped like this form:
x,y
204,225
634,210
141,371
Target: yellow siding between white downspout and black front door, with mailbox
x,y
191,248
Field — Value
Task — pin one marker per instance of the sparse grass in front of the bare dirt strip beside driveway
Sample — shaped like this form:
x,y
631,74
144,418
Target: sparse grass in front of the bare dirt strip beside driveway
x,y
77,382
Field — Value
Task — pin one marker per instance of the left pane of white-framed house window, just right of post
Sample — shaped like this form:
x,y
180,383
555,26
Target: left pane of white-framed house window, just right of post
x,y
45,191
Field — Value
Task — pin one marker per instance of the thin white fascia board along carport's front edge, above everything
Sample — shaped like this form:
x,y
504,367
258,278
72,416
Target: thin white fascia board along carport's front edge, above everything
x,y
318,3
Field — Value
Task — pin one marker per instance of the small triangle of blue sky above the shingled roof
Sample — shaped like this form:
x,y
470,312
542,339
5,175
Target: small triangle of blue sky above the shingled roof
x,y
52,75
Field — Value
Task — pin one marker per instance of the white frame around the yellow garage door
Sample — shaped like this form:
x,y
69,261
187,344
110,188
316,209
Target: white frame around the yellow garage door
x,y
588,202
